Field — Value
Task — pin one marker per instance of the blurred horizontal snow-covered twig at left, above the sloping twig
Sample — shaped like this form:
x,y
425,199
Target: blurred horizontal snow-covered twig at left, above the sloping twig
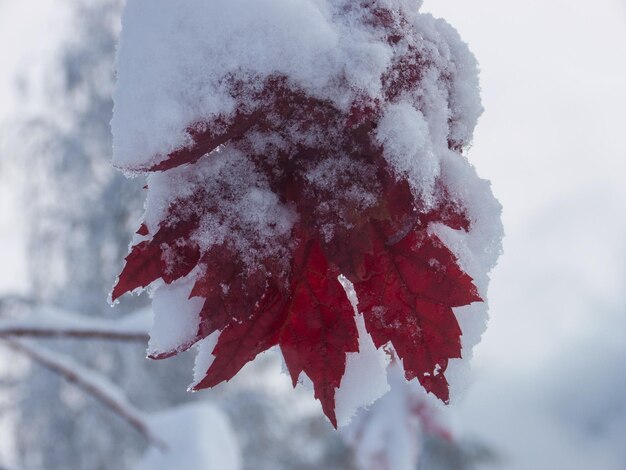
x,y
50,323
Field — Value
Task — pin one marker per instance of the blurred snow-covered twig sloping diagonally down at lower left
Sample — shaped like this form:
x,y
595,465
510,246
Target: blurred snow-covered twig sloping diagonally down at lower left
x,y
92,382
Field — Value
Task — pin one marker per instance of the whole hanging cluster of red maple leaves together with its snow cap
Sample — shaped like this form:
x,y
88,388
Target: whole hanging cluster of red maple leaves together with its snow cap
x,y
287,144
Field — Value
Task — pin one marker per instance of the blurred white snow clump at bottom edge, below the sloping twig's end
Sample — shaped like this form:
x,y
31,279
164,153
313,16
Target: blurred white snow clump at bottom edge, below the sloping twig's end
x,y
198,436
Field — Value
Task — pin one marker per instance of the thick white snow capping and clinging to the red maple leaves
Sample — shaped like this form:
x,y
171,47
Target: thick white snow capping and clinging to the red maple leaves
x,y
176,63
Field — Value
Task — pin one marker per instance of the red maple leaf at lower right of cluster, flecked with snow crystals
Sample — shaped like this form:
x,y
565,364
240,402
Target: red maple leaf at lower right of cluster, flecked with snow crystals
x,y
407,297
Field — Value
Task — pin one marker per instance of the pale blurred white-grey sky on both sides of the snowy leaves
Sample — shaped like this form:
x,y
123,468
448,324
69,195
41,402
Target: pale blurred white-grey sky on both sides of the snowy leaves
x,y
549,377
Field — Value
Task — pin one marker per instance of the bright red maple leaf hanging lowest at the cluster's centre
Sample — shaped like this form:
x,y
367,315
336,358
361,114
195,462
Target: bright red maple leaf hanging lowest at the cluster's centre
x,y
313,324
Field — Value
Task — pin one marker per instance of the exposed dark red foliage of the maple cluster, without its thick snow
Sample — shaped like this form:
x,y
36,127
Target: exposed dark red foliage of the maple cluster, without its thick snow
x,y
407,281
